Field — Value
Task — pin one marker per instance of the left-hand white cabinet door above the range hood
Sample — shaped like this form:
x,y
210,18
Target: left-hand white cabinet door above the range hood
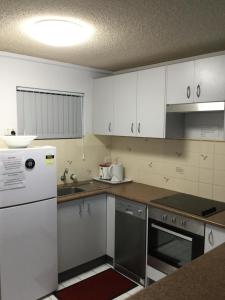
x,y
180,80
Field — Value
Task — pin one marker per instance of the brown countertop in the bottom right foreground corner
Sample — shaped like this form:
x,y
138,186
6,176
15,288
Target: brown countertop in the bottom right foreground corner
x,y
202,279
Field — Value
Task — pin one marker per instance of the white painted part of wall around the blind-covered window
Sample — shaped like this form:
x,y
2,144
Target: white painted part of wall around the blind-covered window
x,y
18,70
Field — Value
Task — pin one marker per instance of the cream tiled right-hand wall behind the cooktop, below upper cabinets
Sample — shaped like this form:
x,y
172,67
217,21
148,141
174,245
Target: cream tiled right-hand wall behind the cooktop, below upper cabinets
x,y
195,167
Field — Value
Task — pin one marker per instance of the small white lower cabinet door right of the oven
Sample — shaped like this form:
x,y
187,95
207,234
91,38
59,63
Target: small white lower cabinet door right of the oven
x,y
214,236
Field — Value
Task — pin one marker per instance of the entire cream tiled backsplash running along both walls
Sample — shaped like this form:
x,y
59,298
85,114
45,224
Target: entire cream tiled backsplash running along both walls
x,y
194,167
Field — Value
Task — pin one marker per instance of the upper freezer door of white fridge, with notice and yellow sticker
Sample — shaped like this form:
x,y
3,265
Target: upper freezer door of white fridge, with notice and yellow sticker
x,y
27,175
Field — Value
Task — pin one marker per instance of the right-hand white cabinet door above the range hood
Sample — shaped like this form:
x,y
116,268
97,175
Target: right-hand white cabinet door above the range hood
x,y
210,79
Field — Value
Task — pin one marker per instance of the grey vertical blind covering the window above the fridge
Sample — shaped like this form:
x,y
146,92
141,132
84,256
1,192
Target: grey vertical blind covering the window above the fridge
x,y
49,114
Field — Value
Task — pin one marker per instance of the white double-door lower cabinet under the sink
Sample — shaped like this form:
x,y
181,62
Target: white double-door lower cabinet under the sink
x,y
81,231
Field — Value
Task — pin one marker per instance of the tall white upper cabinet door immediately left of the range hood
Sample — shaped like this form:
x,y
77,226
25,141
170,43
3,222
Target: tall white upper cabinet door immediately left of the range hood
x,y
151,103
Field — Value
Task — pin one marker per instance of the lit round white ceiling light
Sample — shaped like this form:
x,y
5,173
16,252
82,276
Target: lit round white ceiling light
x,y
59,33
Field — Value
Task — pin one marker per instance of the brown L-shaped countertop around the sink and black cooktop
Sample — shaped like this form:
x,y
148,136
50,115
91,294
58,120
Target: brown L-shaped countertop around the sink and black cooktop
x,y
141,193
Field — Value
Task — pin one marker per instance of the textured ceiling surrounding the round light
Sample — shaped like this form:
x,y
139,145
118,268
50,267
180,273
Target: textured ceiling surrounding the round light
x,y
129,33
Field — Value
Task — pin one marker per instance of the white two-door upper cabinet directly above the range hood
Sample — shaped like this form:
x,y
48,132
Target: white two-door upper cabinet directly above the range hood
x,y
202,80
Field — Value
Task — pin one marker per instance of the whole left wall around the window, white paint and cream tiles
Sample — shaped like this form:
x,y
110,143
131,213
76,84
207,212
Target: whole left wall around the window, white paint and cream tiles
x,y
18,70
